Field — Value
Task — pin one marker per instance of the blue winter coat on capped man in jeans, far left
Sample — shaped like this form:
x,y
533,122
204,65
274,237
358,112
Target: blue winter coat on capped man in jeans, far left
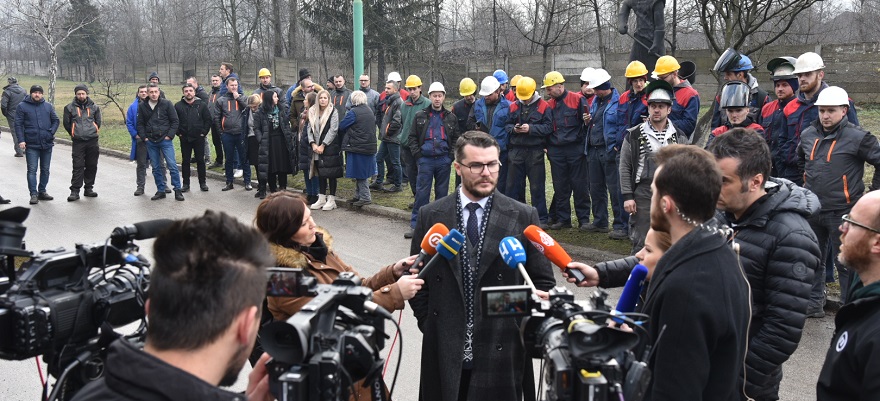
x,y
36,123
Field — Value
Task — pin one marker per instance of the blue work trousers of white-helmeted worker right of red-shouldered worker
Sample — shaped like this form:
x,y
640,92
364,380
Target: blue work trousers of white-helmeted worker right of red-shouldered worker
x,y
605,180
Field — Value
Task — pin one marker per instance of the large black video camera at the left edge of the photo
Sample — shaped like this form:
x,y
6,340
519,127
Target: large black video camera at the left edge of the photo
x,y
58,300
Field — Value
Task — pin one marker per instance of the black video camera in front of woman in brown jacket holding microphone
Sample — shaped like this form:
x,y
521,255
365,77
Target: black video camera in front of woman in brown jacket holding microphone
x,y
330,344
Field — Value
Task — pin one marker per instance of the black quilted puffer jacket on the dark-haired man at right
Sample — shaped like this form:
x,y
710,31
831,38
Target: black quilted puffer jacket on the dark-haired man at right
x,y
779,254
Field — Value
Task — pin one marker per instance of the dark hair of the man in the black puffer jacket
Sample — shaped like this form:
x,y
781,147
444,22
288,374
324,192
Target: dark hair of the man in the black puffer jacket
x,y
748,147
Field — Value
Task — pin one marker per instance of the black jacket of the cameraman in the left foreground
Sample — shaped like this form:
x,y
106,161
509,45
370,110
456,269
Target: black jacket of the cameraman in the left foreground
x,y
133,375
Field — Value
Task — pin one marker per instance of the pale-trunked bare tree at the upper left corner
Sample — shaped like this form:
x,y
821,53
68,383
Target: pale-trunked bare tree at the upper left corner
x,y
48,20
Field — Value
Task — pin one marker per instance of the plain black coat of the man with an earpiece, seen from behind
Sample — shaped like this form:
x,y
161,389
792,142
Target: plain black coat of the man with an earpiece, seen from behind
x,y
699,299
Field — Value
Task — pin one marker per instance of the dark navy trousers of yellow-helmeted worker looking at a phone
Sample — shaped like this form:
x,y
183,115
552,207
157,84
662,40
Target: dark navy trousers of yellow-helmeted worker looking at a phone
x,y
528,163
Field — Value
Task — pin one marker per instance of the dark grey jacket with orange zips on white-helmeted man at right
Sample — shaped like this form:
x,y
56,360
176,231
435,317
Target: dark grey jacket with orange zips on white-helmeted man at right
x,y
834,163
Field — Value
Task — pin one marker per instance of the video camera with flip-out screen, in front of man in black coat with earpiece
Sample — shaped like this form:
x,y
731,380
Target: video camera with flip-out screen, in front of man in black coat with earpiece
x,y
584,358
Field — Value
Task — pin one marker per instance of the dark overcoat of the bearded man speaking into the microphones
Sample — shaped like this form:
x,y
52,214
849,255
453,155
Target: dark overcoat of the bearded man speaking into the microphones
x,y
499,356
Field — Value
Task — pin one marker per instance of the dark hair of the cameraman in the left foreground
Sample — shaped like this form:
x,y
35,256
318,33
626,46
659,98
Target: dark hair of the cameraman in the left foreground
x,y
207,270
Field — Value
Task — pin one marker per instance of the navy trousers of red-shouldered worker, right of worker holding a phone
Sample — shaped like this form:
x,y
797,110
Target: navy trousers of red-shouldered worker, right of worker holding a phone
x,y
568,169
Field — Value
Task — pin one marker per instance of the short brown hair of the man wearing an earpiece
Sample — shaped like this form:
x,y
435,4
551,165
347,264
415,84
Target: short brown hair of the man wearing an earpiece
x,y
691,177
